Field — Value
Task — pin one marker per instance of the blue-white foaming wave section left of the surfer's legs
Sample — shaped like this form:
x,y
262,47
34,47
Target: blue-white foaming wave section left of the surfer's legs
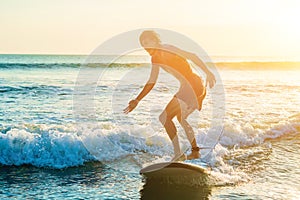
x,y
58,146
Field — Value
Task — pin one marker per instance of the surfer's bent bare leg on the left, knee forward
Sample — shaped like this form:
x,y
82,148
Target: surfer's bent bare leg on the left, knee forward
x,y
171,110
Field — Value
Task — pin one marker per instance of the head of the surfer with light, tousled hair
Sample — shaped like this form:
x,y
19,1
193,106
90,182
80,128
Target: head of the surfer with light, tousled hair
x,y
149,39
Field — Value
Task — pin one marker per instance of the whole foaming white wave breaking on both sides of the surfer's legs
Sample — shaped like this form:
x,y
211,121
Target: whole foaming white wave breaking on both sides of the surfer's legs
x,y
59,146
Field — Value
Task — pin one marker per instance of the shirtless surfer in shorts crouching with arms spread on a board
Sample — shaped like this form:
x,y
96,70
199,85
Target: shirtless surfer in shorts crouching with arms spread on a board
x,y
189,96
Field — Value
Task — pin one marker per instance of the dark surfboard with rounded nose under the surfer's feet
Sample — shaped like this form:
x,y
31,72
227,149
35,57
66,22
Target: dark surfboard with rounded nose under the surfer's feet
x,y
173,169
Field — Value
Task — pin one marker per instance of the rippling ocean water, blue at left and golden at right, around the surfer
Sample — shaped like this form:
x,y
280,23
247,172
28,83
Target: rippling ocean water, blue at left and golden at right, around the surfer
x,y
56,142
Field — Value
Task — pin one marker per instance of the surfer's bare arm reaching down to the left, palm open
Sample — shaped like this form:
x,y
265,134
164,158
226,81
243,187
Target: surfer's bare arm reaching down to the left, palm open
x,y
147,88
